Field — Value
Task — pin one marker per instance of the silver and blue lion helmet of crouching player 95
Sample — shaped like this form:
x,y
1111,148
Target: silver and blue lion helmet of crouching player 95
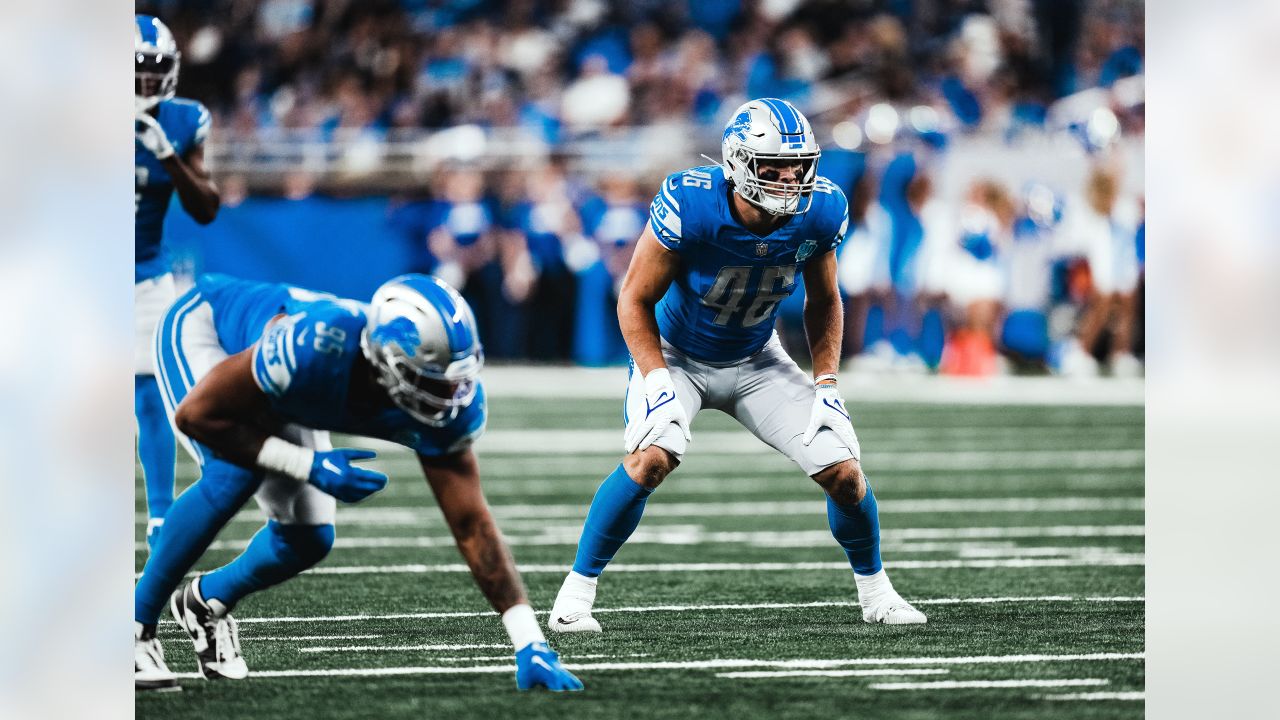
x,y
423,343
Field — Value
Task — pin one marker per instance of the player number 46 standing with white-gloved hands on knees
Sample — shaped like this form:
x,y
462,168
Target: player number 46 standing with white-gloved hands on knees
x,y
725,244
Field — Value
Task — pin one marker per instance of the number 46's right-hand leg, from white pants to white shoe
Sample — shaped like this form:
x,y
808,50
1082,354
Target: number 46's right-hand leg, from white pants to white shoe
x,y
774,400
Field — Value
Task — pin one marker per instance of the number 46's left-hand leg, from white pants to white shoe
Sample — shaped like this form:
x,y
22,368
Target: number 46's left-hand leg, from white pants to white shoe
x,y
620,500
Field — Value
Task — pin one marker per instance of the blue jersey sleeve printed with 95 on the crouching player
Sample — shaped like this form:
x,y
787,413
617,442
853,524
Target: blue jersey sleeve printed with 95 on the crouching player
x,y
303,354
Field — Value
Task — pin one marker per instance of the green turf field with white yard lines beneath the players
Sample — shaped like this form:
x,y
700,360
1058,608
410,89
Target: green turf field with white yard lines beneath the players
x,y
1018,530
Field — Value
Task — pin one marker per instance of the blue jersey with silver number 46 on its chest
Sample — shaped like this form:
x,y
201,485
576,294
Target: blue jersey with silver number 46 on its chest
x,y
724,303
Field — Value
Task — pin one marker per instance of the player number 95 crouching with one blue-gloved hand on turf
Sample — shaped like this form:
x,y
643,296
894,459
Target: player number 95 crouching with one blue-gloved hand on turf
x,y
254,377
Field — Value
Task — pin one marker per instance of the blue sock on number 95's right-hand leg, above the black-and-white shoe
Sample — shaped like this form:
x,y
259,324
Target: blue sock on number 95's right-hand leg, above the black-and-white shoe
x,y
276,554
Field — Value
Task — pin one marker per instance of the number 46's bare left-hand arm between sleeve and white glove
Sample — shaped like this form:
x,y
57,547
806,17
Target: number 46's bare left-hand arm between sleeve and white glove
x,y
652,271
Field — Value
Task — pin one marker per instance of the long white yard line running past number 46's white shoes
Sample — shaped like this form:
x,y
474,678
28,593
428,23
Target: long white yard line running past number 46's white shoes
x,y
1116,560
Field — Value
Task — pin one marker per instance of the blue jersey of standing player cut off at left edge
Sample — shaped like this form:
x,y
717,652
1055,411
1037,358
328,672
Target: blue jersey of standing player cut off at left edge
x,y
186,124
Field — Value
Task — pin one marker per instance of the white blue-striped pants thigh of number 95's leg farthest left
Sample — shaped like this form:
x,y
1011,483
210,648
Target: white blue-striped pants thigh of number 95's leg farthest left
x,y
186,348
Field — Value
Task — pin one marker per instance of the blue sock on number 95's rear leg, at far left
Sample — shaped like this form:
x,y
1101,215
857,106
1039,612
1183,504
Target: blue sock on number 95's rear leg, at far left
x,y
191,526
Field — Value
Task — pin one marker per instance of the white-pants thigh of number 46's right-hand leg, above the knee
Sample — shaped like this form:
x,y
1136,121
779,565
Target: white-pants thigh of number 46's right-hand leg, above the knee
x,y
775,400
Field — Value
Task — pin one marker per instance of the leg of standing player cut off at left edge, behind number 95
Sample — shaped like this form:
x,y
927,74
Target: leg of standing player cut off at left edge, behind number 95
x,y
152,298
